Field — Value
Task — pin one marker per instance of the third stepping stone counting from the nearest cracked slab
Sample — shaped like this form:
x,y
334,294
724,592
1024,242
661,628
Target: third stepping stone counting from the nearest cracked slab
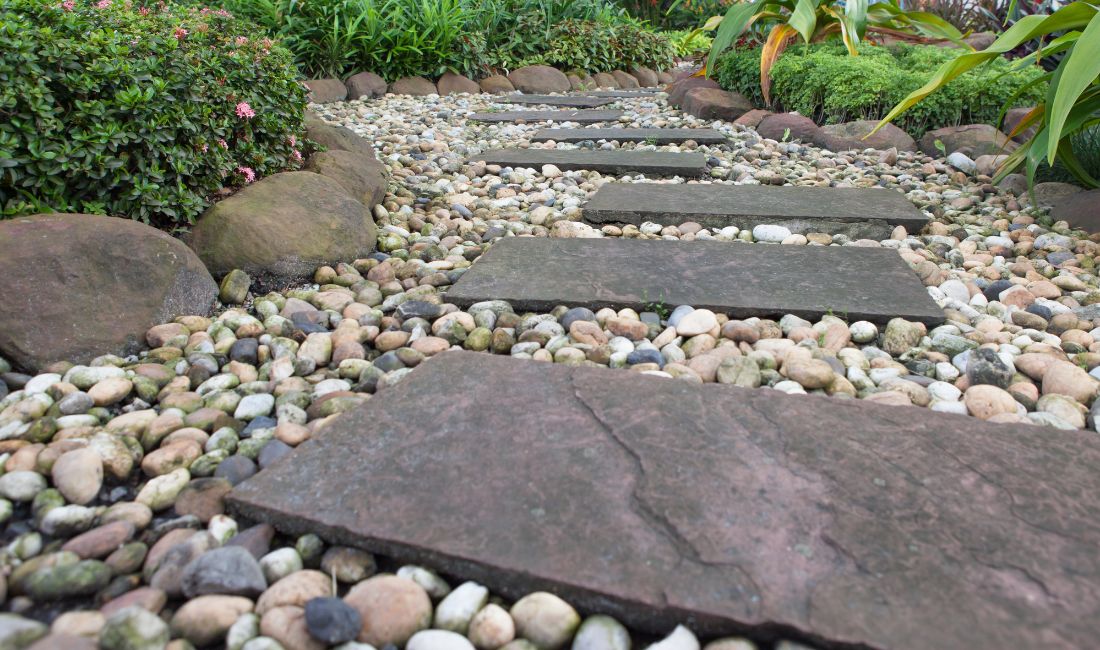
x,y
859,213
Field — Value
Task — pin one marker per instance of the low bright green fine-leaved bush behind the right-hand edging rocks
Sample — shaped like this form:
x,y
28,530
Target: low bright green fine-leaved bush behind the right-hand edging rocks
x,y
823,82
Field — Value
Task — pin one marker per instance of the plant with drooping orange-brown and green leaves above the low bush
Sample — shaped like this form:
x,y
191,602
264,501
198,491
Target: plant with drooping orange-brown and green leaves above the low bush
x,y
784,21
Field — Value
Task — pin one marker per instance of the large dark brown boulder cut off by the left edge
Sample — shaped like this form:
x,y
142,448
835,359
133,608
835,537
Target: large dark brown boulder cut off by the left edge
x,y
76,287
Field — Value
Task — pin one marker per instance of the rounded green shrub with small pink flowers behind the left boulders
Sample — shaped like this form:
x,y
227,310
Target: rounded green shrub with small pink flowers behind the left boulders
x,y
116,109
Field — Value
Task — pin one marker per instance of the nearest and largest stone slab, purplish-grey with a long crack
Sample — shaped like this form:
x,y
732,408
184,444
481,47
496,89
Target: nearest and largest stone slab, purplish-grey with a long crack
x,y
729,510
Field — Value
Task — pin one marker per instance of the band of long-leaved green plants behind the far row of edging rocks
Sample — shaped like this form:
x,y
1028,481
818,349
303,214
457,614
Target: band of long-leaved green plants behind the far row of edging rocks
x,y
427,38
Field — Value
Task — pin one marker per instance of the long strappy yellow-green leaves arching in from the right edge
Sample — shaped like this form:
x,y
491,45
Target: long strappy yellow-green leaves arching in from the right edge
x,y
1072,103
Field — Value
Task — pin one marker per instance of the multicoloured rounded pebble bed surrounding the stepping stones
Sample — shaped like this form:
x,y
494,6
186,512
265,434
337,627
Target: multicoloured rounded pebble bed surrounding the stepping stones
x,y
116,472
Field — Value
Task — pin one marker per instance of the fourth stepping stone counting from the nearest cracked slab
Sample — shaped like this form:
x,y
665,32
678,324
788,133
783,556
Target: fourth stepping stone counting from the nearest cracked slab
x,y
607,162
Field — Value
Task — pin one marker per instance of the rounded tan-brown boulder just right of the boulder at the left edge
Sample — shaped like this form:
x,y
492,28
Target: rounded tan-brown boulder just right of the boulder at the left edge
x,y
281,229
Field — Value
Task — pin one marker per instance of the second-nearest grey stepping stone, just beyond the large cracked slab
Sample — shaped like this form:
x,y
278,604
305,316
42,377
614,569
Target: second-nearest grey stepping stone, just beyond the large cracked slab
x,y
740,280
